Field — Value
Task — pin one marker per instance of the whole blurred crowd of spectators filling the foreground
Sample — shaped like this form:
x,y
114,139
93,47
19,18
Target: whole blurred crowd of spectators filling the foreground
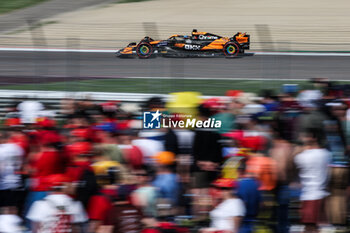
x,y
278,163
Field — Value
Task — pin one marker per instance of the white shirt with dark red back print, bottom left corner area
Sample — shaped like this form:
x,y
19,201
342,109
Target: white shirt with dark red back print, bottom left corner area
x,y
44,212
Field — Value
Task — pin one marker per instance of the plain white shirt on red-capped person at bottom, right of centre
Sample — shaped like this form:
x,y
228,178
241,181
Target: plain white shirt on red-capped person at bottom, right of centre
x,y
222,216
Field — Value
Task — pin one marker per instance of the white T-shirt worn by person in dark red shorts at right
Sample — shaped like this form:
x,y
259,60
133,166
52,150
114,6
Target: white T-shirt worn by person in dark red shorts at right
x,y
313,166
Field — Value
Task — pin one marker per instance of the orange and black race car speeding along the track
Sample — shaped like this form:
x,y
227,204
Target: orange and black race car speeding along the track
x,y
199,44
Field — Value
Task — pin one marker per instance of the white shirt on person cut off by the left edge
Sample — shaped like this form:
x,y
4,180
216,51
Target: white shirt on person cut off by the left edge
x,y
11,159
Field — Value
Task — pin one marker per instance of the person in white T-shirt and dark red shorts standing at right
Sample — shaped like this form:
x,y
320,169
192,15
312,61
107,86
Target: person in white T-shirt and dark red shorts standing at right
x,y
313,172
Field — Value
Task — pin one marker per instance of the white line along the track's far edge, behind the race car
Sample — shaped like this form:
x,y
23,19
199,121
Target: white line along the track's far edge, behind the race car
x,y
4,49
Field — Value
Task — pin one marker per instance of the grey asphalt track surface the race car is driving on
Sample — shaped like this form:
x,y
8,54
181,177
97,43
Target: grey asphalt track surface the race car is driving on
x,y
20,67
